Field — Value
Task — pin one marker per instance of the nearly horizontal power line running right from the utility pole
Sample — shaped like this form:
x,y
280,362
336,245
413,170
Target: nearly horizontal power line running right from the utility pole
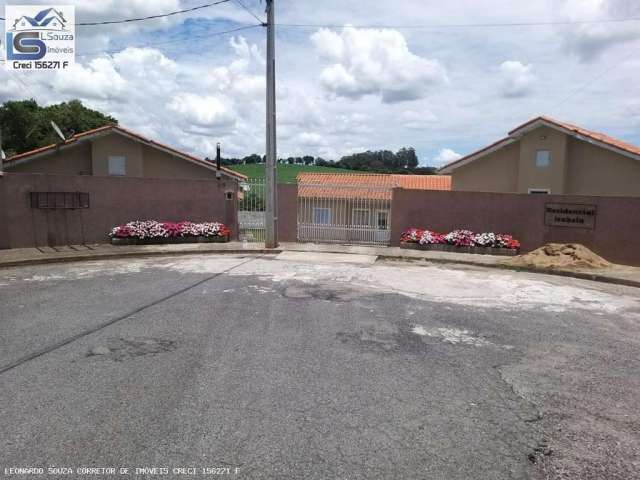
x,y
464,25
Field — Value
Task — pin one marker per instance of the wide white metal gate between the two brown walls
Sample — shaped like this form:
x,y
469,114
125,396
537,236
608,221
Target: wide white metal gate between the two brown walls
x,y
344,213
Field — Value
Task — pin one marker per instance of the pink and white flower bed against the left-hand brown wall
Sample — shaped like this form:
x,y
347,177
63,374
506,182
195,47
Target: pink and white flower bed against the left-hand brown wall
x,y
151,232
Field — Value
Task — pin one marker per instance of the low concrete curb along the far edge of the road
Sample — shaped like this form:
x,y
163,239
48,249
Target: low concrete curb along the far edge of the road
x,y
596,277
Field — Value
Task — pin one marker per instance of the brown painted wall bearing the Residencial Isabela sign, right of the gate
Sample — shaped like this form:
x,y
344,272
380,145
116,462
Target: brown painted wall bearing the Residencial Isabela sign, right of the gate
x,y
616,235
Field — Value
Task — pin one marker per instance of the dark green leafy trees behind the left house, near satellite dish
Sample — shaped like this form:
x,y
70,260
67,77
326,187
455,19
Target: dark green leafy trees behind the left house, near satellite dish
x,y
27,126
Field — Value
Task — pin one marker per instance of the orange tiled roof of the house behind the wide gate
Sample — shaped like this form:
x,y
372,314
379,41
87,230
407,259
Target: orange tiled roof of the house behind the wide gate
x,y
368,186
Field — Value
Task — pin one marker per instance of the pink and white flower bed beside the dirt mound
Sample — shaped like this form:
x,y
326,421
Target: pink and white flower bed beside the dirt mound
x,y
460,241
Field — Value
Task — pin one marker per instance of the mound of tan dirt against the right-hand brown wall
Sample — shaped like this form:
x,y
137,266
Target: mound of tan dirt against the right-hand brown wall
x,y
560,255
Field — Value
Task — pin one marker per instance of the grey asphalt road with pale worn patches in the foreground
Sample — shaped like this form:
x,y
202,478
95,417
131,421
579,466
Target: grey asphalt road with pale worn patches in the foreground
x,y
308,369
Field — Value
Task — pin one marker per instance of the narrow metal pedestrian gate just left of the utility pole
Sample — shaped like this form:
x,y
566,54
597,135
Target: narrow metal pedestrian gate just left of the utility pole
x,y
251,210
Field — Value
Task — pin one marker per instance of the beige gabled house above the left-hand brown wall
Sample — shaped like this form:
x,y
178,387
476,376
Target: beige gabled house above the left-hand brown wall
x,y
115,151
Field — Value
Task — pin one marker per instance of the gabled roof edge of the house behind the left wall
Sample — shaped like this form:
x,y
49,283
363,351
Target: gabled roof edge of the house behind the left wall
x,y
97,132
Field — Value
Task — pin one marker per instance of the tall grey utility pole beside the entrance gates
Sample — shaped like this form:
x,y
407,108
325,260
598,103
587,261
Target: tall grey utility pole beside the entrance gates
x,y
271,214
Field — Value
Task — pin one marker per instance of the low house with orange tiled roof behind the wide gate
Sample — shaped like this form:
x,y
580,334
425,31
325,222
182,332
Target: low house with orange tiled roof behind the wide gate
x,y
353,208
